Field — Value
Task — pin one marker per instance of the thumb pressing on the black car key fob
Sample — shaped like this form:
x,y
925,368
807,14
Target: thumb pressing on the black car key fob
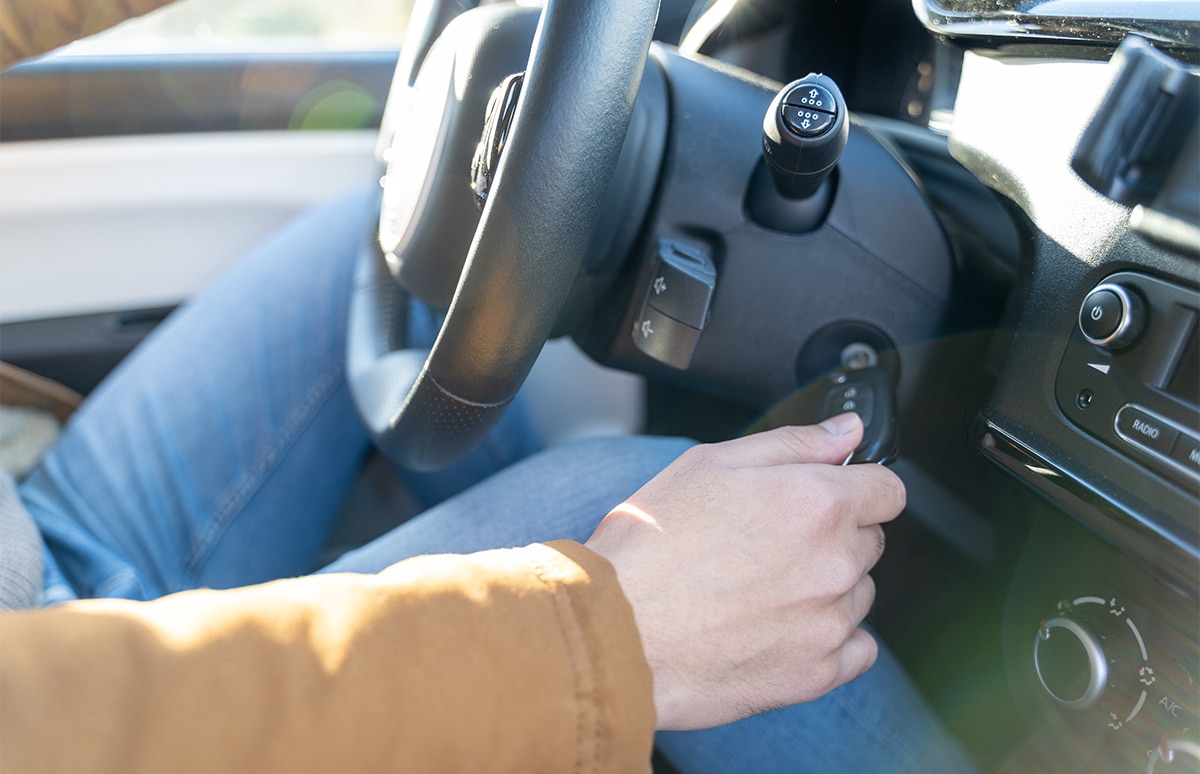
x,y
829,443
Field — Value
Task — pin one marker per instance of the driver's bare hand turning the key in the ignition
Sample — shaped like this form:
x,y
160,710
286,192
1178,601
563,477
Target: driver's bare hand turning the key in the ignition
x,y
747,567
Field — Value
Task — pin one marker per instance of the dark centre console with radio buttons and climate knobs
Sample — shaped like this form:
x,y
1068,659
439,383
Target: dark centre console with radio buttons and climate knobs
x,y
1091,419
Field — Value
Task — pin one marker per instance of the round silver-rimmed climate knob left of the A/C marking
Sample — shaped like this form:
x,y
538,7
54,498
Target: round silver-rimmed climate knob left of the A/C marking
x,y
1070,663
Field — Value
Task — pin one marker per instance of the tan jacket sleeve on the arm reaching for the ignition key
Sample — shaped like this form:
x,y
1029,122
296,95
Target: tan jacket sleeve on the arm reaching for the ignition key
x,y
517,661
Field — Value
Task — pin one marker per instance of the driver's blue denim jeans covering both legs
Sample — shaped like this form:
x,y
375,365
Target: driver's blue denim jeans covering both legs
x,y
219,453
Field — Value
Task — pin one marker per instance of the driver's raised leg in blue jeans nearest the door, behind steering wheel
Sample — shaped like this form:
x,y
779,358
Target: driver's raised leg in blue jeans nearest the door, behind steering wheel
x,y
219,453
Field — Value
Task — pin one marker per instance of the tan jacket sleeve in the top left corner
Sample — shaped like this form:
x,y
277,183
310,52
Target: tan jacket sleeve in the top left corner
x,y
34,27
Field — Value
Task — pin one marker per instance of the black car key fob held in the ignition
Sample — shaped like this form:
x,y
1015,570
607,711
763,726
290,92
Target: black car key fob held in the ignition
x,y
871,394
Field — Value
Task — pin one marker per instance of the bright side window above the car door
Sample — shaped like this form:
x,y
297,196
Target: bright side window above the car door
x,y
241,26
